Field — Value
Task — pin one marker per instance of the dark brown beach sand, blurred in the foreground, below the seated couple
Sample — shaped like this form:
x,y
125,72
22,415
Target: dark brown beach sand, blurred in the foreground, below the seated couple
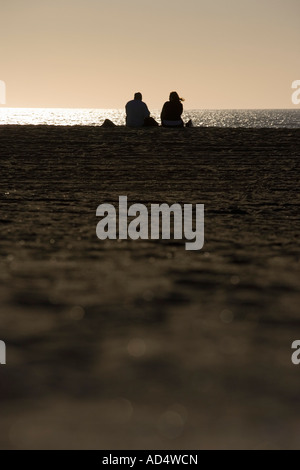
x,y
143,345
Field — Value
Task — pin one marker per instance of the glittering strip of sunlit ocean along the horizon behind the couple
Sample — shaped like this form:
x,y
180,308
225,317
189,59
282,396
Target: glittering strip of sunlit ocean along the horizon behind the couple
x,y
257,118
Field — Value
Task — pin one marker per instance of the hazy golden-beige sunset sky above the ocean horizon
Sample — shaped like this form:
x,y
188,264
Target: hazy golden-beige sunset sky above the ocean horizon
x,y
217,54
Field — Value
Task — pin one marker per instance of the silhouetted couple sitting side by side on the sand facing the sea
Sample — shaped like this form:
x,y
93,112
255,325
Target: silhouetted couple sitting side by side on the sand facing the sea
x,y
138,114
